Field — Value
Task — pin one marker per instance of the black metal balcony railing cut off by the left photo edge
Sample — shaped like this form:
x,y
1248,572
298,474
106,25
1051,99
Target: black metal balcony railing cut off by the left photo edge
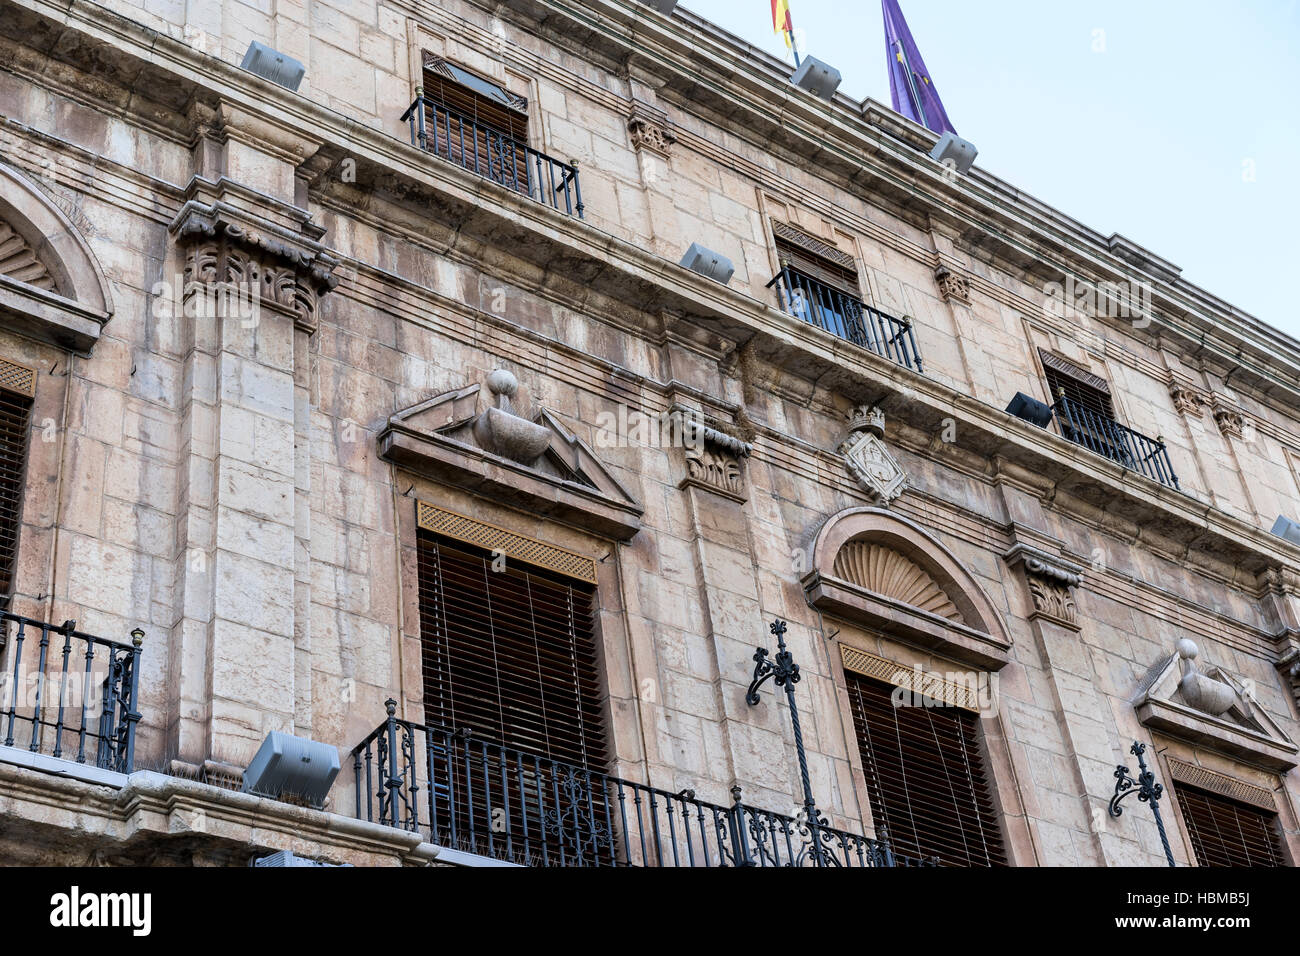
x,y
68,694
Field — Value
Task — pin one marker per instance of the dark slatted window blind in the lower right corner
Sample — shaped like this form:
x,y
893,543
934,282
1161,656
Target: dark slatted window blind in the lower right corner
x,y
1227,833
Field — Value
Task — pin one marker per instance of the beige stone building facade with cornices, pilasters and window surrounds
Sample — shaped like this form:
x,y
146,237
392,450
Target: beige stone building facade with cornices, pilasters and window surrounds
x,y
268,345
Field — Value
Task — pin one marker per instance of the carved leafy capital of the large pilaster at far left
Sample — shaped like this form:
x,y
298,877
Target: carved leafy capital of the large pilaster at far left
x,y
266,266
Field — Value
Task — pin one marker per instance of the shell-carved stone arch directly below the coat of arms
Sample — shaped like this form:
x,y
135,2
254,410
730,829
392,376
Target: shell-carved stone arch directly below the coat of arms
x,y
883,572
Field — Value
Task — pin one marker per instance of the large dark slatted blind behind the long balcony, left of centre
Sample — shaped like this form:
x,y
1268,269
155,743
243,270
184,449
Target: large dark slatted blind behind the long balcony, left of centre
x,y
510,655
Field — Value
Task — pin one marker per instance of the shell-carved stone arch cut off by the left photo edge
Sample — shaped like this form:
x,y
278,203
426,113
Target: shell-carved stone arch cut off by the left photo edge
x,y
51,285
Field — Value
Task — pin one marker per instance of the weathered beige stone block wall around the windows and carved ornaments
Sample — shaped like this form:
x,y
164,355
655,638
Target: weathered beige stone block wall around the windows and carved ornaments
x,y
220,486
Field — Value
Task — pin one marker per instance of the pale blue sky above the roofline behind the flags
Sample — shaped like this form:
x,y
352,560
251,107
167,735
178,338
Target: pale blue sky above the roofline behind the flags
x,y
1150,139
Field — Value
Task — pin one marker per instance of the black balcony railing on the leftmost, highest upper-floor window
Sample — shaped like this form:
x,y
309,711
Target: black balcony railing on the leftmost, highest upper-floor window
x,y
493,155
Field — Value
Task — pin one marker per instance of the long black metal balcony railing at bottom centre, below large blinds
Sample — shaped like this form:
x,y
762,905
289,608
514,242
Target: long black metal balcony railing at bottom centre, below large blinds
x,y
478,797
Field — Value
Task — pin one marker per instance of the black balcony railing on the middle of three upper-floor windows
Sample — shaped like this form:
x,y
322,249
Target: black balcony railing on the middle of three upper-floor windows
x,y
846,317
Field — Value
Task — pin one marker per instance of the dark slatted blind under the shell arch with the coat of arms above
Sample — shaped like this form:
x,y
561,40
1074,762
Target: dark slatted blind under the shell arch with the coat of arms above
x,y
926,778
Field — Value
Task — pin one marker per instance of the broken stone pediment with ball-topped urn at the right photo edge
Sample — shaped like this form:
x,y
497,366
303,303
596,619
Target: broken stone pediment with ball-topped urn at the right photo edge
x,y
1211,708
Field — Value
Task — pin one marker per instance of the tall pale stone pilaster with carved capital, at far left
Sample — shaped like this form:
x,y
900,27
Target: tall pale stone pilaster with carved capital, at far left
x,y
253,276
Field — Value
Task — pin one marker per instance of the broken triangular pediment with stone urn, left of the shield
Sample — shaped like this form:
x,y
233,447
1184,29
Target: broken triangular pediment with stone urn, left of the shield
x,y
535,465
